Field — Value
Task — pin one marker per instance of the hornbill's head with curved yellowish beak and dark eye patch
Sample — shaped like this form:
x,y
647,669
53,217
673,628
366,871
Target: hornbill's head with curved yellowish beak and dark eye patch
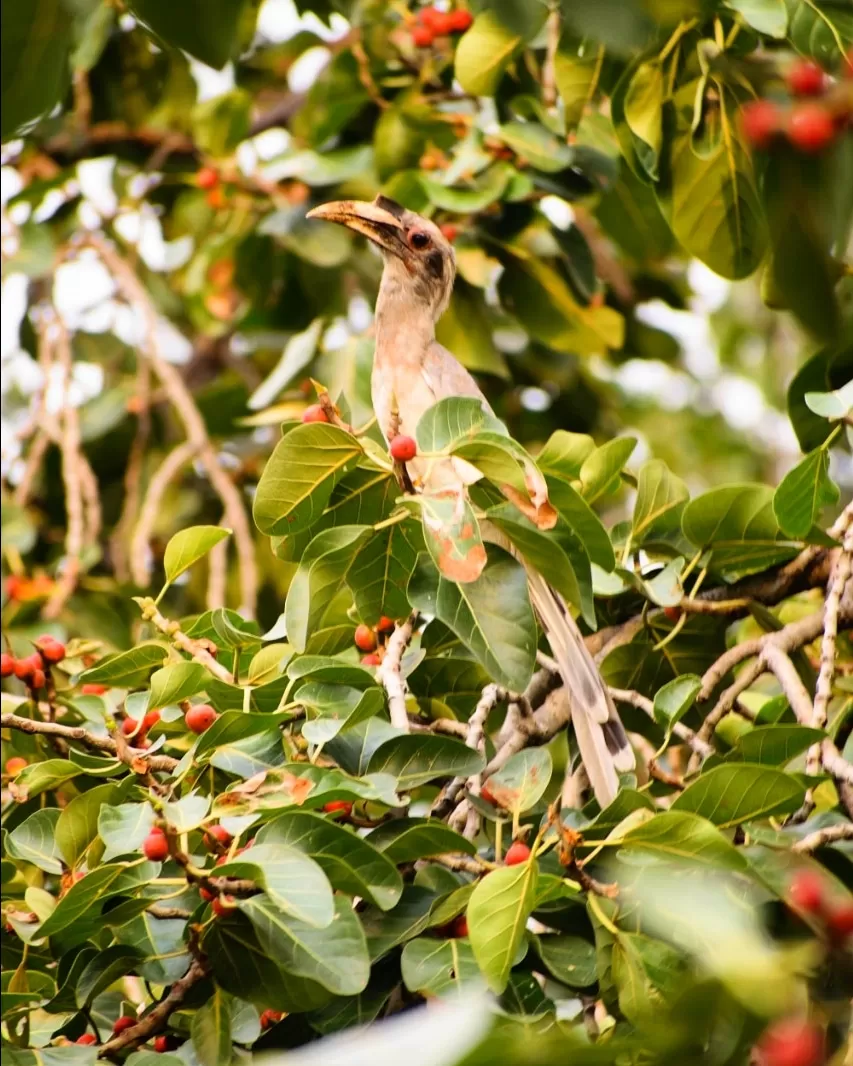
x,y
420,262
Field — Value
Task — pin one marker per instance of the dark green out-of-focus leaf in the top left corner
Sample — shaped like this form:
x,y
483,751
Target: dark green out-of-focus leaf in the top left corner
x,y
36,41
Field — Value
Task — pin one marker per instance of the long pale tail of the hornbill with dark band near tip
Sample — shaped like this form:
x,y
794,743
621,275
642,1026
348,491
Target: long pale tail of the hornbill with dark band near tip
x,y
604,745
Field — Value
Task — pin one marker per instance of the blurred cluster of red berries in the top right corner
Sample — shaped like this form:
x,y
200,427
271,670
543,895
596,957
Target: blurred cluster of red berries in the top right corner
x,y
822,110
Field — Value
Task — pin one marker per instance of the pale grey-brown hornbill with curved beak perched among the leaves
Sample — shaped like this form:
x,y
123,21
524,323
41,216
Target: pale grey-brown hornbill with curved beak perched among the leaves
x,y
412,373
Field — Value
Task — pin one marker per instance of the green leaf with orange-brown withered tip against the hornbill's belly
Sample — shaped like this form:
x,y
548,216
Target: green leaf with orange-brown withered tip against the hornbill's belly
x,y
452,534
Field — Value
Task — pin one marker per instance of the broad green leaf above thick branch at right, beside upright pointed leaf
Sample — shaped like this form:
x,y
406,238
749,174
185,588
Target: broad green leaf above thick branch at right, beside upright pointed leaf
x,y
738,525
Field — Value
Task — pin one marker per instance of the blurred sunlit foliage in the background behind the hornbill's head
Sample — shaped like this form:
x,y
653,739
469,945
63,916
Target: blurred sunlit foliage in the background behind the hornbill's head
x,y
614,263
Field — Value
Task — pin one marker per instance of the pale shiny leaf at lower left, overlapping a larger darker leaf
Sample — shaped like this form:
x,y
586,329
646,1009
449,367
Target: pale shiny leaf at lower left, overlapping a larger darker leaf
x,y
294,883
